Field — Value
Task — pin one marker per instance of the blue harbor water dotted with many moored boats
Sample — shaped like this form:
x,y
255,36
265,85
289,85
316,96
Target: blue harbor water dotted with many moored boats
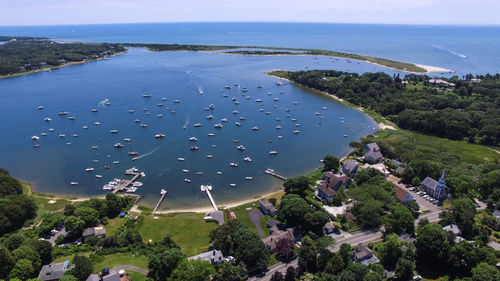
x,y
196,80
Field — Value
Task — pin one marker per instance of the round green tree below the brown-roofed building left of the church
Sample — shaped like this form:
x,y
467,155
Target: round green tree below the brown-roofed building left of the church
x,y
399,220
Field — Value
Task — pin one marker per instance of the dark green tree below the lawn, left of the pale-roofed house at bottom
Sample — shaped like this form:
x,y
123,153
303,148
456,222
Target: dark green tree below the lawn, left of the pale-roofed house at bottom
x,y
161,265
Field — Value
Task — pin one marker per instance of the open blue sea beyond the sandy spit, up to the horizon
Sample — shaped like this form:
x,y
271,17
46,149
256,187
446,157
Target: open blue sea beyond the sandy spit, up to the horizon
x,y
464,49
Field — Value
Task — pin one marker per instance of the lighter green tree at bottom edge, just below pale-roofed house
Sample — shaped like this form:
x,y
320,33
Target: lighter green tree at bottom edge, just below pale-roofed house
x,y
193,270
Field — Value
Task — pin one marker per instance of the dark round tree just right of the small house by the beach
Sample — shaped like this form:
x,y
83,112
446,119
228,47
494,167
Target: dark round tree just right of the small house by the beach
x,y
293,210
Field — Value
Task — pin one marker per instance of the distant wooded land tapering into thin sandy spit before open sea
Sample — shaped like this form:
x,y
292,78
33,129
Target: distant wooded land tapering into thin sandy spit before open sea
x,y
22,55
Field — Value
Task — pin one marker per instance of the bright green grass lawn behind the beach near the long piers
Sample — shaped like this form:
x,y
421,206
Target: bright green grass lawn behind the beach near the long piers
x,y
187,229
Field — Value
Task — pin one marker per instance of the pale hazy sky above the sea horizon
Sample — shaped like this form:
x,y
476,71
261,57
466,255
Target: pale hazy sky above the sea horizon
x,y
427,12
